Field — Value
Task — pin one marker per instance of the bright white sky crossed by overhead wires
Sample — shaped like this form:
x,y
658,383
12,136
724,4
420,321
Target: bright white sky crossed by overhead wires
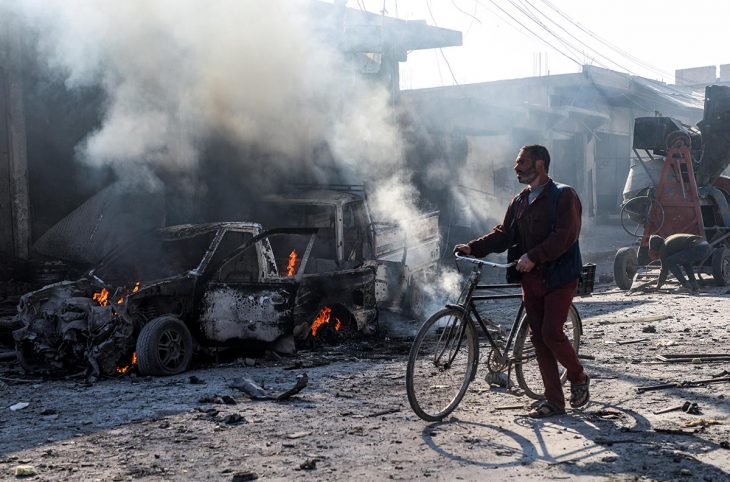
x,y
502,40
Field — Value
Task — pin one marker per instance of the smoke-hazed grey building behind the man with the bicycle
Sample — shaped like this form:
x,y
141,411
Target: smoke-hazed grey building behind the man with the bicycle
x,y
585,119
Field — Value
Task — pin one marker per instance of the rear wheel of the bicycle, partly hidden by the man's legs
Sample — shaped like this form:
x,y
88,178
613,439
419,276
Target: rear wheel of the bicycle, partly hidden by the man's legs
x,y
526,369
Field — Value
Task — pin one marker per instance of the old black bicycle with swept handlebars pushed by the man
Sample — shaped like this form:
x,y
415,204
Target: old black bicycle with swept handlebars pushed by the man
x,y
447,347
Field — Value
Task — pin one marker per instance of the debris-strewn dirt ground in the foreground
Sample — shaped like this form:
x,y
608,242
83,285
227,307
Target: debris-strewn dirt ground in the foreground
x,y
353,422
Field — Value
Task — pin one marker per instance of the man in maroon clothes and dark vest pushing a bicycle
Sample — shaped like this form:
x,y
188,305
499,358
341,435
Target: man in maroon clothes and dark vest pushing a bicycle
x,y
541,229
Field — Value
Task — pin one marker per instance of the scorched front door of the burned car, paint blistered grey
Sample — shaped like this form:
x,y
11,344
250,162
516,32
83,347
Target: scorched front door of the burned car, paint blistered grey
x,y
240,300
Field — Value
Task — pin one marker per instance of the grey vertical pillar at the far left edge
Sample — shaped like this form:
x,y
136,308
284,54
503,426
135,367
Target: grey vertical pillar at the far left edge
x,y
14,197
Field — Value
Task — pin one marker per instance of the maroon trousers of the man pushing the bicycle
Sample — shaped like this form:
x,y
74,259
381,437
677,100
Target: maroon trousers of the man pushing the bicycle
x,y
547,310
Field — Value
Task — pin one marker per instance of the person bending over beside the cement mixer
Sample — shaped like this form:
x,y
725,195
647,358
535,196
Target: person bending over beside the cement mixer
x,y
677,251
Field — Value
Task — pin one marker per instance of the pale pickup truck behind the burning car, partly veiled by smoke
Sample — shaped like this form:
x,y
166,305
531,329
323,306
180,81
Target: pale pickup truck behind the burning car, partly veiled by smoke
x,y
404,258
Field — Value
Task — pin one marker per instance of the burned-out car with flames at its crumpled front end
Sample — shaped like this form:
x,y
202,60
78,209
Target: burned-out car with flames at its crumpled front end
x,y
191,287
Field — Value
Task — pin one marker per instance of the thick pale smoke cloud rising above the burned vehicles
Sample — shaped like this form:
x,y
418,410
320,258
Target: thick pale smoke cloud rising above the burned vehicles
x,y
259,74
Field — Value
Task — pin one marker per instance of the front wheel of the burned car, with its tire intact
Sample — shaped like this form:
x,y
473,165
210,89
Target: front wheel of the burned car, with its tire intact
x,y
164,347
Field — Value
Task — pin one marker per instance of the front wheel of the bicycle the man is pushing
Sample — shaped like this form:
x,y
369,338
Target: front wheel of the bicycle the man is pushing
x,y
441,364
